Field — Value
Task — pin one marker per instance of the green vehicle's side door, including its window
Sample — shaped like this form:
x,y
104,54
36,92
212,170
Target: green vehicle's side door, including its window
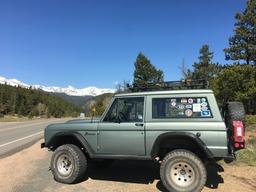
x,y
121,132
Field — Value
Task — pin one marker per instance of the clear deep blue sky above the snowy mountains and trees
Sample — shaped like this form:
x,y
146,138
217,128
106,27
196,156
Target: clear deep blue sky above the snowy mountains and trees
x,y
95,42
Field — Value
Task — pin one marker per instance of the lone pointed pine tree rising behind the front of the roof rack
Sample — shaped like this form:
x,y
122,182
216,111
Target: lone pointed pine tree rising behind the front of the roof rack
x,y
145,72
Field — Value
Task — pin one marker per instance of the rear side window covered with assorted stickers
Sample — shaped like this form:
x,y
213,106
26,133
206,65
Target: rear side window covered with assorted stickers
x,y
181,107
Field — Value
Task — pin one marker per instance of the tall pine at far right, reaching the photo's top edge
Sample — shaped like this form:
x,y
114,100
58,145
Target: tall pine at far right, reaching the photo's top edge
x,y
242,45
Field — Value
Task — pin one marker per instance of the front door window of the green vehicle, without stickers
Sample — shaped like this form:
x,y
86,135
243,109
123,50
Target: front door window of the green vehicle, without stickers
x,y
126,110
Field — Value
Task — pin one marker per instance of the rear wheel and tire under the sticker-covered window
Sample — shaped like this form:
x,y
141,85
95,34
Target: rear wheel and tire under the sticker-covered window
x,y
181,170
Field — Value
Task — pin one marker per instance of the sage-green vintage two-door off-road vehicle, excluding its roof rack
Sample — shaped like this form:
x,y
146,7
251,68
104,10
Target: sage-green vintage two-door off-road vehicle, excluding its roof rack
x,y
181,129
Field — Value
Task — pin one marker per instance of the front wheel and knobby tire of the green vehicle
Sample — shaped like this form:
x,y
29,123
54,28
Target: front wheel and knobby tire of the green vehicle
x,y
77,160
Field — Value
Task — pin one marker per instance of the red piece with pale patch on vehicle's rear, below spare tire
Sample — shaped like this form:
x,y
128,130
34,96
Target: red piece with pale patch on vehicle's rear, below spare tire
x,y
238,129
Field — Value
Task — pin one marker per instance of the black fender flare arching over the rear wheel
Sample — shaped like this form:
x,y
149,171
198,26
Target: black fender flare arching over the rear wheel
x,y
186,135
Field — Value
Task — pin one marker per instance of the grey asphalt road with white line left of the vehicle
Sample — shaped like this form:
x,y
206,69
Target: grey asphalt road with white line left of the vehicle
x,y
15,136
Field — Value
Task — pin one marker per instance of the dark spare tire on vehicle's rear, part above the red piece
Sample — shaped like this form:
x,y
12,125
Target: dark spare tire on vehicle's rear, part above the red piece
x,y
236,111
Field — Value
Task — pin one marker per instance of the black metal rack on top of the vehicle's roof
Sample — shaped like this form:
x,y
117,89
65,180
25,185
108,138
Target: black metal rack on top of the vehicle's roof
x,y
171,85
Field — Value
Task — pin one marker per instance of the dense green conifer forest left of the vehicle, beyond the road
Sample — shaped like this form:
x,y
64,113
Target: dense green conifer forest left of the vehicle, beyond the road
x,y
21,102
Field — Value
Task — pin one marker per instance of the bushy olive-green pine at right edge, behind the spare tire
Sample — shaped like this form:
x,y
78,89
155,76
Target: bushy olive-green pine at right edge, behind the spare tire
x,y
237,83
